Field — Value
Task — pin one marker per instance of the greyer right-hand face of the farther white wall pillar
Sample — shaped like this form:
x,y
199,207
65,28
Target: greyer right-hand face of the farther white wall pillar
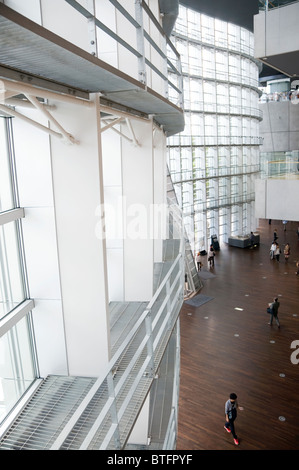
x,y
138,192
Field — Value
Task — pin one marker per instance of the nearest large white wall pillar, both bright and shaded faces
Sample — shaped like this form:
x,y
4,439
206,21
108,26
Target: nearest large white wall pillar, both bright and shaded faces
x,y
60,187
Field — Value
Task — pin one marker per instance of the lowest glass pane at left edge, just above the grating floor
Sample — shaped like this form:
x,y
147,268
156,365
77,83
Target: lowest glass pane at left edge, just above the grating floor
x,y
16,366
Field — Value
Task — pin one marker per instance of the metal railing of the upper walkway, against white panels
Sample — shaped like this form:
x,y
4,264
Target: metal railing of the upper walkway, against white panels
x,y
149,56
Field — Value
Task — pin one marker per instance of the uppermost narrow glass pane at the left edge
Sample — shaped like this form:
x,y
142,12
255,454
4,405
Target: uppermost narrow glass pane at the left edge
x,y
6,195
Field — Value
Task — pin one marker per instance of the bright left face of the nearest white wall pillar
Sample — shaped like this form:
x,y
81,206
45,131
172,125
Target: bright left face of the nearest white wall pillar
x,y
33,162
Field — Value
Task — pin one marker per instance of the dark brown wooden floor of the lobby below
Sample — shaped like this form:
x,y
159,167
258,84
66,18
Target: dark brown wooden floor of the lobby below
x,y
225,350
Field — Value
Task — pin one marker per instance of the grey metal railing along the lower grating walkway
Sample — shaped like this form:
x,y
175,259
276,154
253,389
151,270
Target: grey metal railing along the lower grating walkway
x,y
121,390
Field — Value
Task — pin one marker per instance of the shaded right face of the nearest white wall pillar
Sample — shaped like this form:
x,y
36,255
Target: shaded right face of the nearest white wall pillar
x,y
78,191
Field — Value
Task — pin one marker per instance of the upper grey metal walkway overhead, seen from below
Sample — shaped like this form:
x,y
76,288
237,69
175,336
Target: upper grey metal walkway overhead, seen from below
x,y
28,48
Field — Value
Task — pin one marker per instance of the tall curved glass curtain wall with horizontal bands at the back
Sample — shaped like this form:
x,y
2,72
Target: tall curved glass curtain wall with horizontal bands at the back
x,y
215,160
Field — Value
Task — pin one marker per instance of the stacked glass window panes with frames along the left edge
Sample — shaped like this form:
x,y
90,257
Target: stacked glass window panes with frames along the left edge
x,y
17,365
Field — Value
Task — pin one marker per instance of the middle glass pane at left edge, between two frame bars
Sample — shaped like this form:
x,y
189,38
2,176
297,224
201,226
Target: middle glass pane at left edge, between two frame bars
x,y
11,279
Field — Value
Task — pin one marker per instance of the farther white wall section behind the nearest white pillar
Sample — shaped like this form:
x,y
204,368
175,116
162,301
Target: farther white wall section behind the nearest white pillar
x,y
135,184
